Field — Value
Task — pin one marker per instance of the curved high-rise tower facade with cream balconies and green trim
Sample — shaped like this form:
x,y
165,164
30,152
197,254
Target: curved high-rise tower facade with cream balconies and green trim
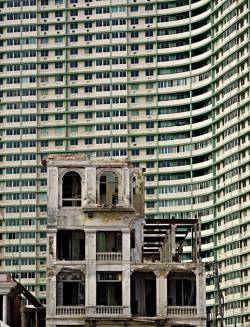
x,y
164,83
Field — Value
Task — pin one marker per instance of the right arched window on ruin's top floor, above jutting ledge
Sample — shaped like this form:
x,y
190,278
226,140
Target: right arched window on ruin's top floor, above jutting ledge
x,y
108,189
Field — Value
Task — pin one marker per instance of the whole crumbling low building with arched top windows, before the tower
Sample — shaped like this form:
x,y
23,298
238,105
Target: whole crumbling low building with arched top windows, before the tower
x,y
98,272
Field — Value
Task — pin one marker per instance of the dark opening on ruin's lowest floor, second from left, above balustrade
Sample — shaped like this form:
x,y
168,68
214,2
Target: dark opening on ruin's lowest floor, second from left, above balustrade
x,y
109,288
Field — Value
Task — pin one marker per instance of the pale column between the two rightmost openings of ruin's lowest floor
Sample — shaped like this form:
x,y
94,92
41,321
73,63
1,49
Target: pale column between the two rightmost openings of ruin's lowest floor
x,y
161,293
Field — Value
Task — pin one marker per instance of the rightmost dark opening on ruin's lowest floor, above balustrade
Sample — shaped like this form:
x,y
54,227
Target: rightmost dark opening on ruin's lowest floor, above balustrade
x,y
181,289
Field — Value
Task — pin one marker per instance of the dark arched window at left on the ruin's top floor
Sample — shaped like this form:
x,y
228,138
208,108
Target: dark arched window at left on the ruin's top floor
x,y
71,193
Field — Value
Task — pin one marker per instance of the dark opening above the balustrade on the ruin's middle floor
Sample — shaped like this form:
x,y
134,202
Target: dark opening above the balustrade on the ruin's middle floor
x,y
109,242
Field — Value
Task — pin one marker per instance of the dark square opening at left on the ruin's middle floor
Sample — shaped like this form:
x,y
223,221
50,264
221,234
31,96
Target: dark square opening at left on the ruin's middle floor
x,y
70,245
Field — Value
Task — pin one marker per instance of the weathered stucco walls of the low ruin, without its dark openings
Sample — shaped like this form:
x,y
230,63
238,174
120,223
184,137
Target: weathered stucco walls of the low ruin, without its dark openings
x,y
92,217
